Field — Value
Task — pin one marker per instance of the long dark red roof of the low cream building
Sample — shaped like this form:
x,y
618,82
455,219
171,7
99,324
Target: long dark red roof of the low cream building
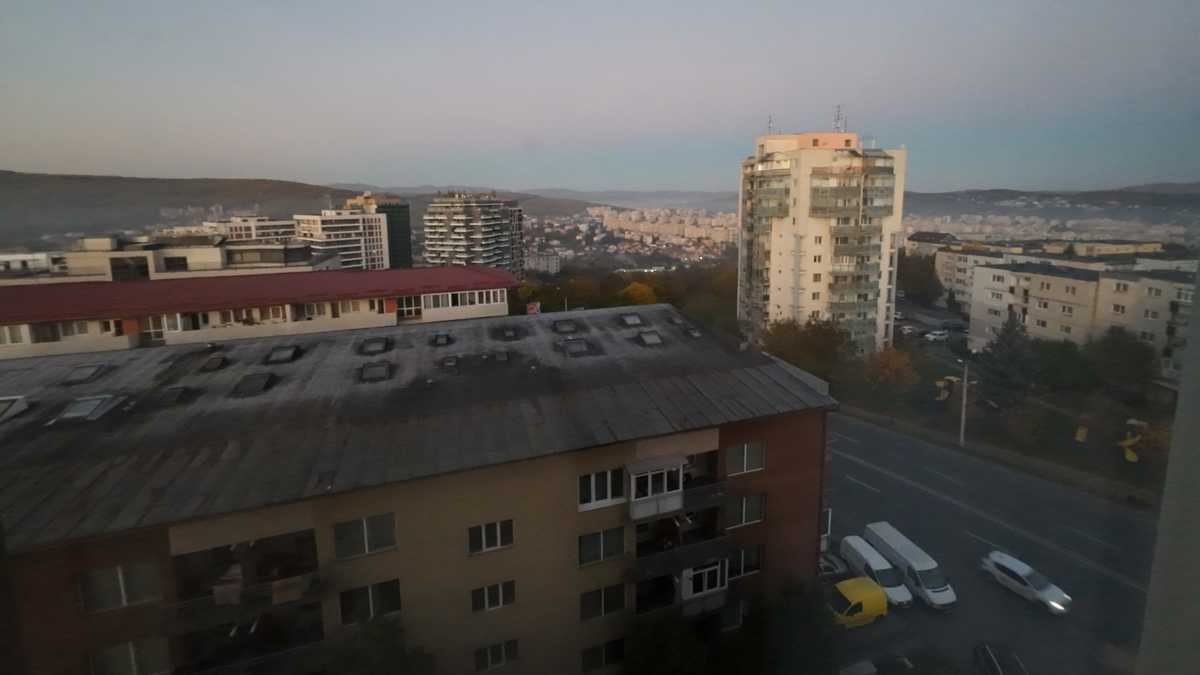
x,y
130,300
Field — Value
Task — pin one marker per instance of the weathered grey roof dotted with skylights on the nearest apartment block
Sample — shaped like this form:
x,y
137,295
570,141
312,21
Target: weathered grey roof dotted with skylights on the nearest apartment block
x,y
187,435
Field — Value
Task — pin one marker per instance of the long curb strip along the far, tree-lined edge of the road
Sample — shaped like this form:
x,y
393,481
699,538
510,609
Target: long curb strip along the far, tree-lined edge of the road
x,y
1114,491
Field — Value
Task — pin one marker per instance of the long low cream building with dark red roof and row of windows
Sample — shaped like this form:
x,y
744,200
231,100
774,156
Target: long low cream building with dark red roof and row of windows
x,y
57,319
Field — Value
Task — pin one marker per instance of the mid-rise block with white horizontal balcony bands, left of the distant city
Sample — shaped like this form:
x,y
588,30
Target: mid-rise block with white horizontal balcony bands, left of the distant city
x,y
475,229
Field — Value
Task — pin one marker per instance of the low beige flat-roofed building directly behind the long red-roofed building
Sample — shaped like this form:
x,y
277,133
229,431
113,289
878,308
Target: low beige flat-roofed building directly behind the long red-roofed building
x,y
151,259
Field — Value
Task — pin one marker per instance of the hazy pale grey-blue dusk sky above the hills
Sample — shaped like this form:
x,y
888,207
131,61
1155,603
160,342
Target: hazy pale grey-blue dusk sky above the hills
x,y
520,94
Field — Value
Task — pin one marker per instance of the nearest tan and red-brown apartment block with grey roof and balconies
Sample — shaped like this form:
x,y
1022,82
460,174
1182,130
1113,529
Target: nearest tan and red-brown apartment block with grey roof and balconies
x,y
513,491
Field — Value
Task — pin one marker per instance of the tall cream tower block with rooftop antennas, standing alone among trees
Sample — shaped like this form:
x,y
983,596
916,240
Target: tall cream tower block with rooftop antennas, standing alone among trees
x,y
820,225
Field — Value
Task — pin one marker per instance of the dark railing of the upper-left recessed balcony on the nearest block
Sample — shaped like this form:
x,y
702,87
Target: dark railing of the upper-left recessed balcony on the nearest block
x,y
233,604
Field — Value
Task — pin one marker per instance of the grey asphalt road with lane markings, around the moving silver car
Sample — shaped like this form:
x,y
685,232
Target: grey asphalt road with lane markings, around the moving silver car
x,y
958,509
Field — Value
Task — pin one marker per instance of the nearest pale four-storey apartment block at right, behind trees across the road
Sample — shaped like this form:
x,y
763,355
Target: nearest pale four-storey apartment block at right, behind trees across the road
x,y
1059,303
